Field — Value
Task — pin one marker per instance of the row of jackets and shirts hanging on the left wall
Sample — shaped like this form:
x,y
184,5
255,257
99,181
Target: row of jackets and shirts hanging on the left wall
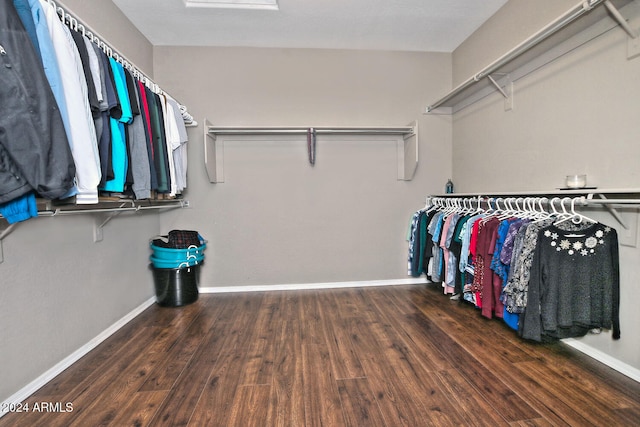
x,y
76,120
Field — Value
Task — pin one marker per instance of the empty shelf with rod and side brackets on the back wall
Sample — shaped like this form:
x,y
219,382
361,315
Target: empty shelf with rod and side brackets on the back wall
x,y
407,149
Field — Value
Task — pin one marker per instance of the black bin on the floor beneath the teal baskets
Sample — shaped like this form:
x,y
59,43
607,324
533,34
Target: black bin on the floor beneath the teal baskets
x,y
176,287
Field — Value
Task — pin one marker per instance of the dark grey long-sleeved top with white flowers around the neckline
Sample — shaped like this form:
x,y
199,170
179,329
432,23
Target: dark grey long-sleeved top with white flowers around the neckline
x,y
574,284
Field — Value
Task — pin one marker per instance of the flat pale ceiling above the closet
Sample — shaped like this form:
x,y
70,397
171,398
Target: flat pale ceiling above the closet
x,y
406,25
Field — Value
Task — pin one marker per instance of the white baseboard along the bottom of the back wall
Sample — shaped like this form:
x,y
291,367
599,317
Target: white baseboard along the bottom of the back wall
x,y
311,286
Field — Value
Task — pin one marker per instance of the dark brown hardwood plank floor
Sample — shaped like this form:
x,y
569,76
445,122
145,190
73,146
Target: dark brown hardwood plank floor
x,y
392,356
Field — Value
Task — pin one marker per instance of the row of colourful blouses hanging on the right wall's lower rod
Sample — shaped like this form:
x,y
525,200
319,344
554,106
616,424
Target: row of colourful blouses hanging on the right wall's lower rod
x,y
547,277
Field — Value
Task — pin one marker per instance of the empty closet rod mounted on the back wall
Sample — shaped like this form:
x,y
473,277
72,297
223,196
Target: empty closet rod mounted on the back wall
x,y
304,130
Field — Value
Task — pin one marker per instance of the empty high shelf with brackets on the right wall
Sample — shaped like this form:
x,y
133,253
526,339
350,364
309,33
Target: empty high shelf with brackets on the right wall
x,y
579,25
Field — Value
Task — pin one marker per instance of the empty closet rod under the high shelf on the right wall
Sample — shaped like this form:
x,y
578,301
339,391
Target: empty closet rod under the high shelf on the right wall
x,y
562,21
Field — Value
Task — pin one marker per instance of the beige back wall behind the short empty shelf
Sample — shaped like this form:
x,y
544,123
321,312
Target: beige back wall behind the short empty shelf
x,y
276,219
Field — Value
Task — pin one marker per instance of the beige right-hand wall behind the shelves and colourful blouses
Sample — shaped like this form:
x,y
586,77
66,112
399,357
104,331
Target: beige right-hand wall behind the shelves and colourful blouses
x,y
576,115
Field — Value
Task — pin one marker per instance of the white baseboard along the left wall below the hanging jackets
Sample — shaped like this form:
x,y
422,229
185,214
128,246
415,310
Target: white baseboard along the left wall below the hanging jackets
x,y
36,384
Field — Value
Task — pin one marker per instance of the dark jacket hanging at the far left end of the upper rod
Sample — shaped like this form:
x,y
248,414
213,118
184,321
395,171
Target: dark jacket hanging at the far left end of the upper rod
x,y
34,150
